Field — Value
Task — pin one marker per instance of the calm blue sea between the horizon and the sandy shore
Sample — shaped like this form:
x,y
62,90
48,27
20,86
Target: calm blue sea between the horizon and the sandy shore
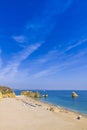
x,y
64,99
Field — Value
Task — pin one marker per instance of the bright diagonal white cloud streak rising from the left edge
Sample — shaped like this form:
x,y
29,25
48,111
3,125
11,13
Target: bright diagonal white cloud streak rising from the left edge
x,y
12,67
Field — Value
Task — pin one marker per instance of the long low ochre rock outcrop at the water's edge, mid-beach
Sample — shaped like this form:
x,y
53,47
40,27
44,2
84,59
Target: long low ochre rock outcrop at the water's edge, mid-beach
x,y
31,94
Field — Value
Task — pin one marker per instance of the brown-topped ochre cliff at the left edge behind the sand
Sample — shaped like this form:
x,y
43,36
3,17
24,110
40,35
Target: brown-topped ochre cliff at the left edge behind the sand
x,y
6,92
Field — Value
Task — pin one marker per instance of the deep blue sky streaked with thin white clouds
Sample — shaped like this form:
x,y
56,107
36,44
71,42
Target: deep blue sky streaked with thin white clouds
x,y
43,44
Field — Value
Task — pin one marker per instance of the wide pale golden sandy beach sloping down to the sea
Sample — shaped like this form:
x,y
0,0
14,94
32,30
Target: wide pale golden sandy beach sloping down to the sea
x,y
22,113
